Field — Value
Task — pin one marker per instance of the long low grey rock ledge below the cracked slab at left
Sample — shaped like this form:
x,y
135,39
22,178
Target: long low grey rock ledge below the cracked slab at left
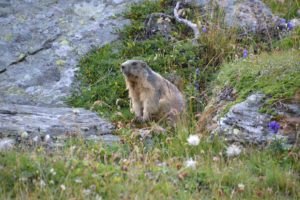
x,y
16,119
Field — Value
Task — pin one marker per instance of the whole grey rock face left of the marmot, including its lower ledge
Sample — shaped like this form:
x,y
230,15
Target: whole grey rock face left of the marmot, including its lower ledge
x,y
40,45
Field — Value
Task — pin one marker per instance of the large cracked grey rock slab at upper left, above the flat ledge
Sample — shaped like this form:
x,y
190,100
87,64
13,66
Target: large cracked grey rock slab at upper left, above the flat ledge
x,y
42,41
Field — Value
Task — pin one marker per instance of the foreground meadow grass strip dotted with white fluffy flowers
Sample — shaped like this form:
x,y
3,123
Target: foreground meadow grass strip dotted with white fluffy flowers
x,y
131,170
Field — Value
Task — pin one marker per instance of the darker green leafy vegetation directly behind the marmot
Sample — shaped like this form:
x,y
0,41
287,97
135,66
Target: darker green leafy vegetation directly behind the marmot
x,y
102,86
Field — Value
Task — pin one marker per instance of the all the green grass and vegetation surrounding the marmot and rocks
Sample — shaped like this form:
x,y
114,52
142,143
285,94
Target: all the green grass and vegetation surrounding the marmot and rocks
x,y
155,168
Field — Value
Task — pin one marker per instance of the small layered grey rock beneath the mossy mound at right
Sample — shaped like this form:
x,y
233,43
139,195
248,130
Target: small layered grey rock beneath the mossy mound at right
x,y
245,124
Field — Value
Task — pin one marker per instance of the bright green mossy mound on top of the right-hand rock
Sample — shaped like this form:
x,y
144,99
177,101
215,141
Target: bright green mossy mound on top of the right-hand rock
x,y
276,74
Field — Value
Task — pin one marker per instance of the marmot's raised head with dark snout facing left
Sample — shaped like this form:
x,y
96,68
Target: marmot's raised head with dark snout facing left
x,y
134,69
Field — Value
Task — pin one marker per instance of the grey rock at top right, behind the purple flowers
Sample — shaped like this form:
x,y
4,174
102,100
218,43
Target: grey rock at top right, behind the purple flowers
x,y
252,16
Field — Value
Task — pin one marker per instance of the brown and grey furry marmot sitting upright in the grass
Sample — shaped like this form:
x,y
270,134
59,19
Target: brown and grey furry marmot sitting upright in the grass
x,y
152,96
